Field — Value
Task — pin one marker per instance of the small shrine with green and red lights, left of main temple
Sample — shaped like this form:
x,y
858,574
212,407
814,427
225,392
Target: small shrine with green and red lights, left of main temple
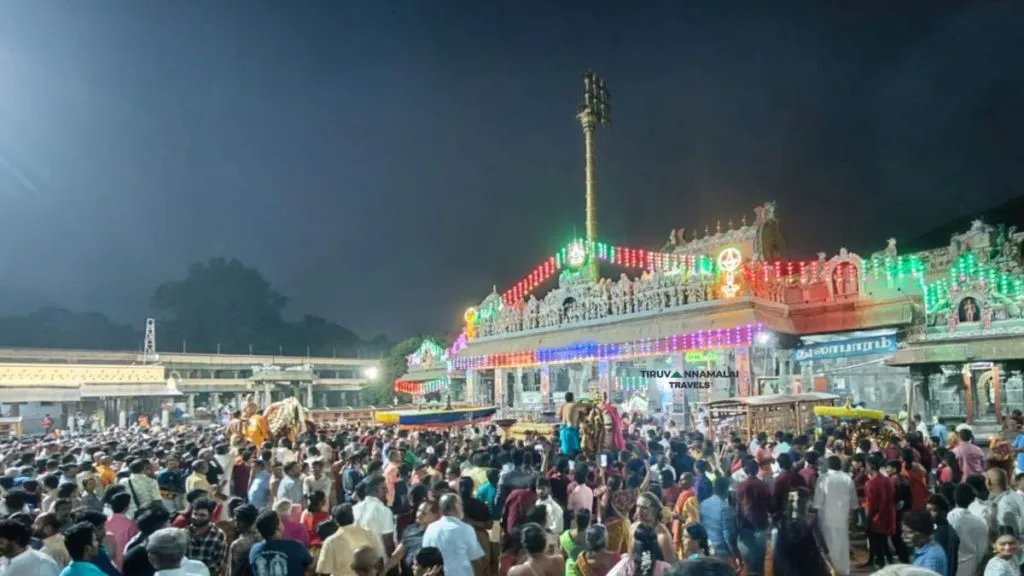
x,y
430,377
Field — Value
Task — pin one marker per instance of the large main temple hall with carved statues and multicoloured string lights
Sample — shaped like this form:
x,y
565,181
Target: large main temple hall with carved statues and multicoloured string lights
x,y
717,315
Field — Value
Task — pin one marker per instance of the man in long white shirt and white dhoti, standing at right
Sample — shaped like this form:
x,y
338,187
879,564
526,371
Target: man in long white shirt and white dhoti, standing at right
x,y
836,499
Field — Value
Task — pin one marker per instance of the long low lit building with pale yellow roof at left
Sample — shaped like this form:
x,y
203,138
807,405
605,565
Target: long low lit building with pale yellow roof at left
x,y
35,383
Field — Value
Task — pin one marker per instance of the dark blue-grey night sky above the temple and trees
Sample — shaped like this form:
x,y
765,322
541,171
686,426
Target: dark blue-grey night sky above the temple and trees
x,y
385,163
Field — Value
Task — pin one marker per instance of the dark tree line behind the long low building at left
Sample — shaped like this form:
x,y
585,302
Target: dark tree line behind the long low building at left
x,y
220,306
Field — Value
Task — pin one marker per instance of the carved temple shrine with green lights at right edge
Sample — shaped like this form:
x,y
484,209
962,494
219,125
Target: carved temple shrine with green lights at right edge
x,y
966,357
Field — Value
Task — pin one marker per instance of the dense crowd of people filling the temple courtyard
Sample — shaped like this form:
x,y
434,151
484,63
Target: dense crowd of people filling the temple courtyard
x,y
370,501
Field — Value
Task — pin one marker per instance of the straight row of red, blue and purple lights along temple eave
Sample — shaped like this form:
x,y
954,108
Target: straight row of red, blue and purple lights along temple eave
x,y
702,340
